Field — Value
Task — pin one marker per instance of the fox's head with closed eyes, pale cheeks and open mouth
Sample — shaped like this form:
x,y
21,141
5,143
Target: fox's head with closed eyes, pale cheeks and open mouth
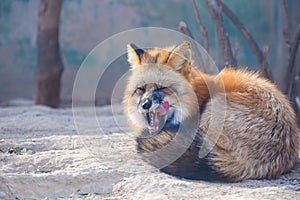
x,y
158,95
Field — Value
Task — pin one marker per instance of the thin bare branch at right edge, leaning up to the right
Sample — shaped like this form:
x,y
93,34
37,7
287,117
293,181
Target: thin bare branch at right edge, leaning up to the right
x,y
292,67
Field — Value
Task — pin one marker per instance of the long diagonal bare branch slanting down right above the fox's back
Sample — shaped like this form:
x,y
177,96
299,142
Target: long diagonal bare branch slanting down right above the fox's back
x,y
262,59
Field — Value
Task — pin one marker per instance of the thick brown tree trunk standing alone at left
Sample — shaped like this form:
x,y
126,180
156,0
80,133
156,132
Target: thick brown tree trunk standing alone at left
x,y
49,66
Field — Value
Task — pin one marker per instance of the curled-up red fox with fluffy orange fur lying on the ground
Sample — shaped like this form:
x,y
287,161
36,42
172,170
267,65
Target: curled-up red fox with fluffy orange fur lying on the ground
x,y
258,138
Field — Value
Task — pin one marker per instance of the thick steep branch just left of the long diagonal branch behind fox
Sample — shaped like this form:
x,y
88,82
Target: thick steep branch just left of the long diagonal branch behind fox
x,y
216,15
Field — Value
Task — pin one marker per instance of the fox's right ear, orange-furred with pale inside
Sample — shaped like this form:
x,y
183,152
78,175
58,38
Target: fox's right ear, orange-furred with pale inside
x,y
180,55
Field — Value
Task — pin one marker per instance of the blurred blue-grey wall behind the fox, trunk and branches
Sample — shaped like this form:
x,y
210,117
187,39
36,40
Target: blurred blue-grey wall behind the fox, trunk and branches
x,y
84,24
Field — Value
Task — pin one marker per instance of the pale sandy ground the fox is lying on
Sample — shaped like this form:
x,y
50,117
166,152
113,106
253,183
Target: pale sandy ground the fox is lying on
x,y
43,156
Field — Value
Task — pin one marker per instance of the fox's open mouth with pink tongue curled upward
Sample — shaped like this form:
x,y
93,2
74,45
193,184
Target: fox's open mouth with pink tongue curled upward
x,y
156,117
